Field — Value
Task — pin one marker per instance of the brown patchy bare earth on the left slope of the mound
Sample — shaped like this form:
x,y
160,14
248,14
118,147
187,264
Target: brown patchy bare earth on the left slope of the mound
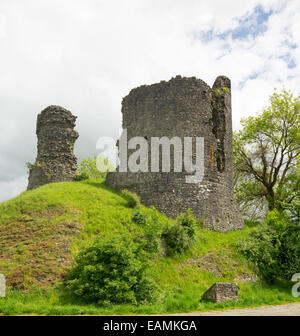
x,y
36,247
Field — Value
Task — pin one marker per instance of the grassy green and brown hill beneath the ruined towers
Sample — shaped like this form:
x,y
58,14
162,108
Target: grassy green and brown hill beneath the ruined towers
x,y
42,230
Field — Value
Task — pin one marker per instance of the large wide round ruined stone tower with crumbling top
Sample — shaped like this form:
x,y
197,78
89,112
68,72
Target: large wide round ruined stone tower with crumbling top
x,y
184,107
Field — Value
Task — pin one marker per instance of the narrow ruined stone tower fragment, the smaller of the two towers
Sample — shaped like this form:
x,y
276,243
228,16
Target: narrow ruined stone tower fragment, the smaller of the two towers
x,y
55,160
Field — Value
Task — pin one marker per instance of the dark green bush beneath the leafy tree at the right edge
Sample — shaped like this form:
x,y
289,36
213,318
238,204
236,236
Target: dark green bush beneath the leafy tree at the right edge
x,y
274,248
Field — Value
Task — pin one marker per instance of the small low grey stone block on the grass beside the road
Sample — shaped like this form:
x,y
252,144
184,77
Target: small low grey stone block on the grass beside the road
x,y
222,291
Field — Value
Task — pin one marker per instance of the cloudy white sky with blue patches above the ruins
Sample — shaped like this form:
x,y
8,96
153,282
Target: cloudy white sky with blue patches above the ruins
x,y
87,55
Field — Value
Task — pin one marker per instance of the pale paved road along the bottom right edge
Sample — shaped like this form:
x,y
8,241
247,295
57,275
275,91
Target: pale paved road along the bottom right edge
x,y
291,309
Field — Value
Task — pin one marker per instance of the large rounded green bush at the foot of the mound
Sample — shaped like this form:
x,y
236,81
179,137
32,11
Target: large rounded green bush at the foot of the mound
x,y
111,272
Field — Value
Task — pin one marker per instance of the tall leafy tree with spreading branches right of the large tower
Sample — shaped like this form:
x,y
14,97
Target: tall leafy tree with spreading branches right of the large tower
x,y
266,154
